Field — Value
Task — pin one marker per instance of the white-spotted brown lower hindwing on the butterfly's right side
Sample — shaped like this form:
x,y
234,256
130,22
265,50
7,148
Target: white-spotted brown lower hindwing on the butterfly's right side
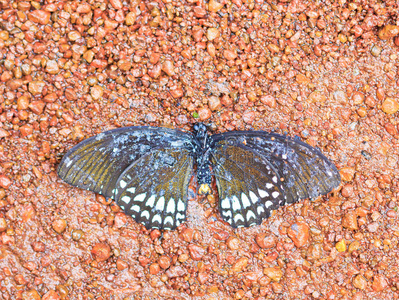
x,y
248,192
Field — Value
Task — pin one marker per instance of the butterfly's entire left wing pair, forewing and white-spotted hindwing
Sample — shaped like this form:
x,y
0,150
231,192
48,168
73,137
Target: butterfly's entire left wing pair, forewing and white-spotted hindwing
x,y
145,170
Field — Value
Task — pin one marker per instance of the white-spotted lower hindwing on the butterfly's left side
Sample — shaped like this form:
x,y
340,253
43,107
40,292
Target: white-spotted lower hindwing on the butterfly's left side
x,y
163,205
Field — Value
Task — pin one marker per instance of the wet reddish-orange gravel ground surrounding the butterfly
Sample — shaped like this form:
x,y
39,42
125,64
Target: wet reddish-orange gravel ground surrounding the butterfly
x,y
326,71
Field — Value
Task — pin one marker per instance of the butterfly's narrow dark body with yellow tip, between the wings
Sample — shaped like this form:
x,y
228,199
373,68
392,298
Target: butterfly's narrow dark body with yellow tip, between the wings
x,y
202,153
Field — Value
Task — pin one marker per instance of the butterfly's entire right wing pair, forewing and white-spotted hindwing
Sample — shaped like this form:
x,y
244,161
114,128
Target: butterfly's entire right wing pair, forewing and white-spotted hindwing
x,y
257,172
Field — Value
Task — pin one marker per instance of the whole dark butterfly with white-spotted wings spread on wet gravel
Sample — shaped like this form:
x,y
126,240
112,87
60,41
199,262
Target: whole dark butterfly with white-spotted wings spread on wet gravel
x,y
147,170
